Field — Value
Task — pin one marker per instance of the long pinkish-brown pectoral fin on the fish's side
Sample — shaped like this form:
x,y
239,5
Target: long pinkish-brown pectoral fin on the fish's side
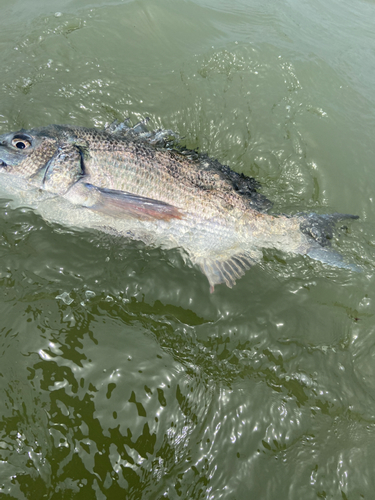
x,y
121,204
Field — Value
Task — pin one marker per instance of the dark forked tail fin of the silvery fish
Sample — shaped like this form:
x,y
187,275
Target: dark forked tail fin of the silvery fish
x,y
321,228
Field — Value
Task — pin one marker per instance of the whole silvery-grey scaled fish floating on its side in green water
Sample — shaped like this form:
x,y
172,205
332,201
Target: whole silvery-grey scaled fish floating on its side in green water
x,y
144,185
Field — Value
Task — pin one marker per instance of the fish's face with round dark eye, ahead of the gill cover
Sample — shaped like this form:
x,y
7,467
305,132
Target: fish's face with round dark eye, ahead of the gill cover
x,y
25,153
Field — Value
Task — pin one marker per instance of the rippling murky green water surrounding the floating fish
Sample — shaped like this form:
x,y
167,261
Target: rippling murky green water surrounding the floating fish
x,y
121,376
